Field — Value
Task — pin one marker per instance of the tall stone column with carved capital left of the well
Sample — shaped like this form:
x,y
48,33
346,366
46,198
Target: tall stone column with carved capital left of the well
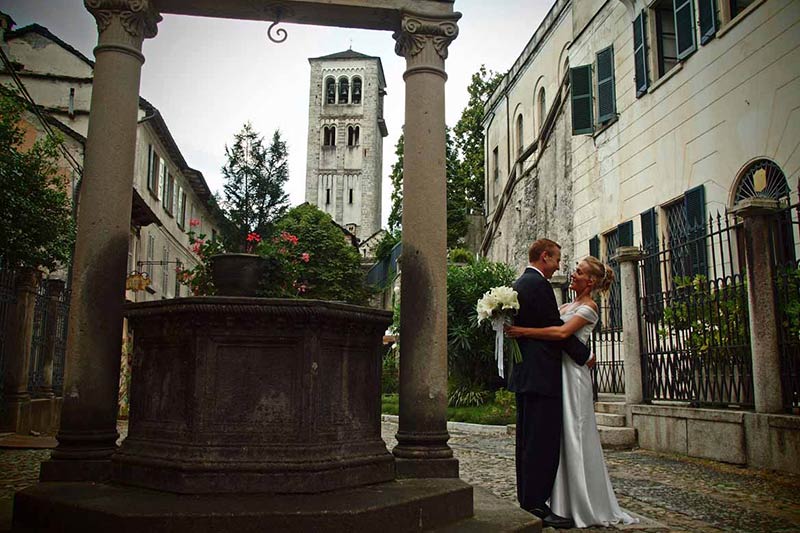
x,y
88,433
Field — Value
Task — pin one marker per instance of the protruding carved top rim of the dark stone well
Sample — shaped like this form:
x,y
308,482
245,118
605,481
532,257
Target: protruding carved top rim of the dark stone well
x,y
236,305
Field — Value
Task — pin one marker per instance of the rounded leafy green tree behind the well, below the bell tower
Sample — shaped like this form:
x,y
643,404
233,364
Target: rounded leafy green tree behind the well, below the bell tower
x,y
333,270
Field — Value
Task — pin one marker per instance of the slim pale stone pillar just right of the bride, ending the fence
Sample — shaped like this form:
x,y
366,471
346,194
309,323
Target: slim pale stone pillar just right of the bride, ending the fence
x,y
628,258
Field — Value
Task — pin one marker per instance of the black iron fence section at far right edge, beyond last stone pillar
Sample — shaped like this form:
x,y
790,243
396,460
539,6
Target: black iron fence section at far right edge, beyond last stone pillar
x,y
787,296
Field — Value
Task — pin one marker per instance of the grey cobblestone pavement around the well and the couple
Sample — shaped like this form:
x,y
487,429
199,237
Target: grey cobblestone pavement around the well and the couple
x,y
669,493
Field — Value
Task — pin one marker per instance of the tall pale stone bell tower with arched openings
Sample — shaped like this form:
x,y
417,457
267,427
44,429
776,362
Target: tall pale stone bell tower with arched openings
x,y
345,139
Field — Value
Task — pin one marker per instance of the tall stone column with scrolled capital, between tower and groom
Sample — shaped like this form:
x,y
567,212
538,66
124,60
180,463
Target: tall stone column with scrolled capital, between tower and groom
x,y
422,436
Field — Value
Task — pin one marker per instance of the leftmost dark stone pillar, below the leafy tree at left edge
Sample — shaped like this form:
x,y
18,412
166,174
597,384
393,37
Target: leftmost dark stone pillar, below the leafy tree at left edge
x,y
15,413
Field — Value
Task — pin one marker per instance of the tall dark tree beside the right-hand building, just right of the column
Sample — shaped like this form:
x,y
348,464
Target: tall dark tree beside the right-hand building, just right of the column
x,y
469,138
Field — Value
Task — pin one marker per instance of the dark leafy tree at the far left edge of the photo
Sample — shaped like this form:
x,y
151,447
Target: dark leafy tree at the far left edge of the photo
x,y
36,225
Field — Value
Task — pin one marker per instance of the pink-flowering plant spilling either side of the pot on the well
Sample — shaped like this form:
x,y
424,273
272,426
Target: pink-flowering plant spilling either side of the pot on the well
x,y
282,255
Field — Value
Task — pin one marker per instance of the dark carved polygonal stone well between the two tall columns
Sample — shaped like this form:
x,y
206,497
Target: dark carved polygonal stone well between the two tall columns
x,y
245,395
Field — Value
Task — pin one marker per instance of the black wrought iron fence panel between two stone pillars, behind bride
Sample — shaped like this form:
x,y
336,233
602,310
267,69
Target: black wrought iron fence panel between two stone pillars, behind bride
x,y
693,304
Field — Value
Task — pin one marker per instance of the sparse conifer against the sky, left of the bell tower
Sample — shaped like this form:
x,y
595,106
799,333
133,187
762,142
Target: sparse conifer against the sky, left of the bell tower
x,y
255,176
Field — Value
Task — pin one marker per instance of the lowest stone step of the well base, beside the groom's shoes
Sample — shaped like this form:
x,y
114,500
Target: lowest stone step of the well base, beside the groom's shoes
x,y
494,514
